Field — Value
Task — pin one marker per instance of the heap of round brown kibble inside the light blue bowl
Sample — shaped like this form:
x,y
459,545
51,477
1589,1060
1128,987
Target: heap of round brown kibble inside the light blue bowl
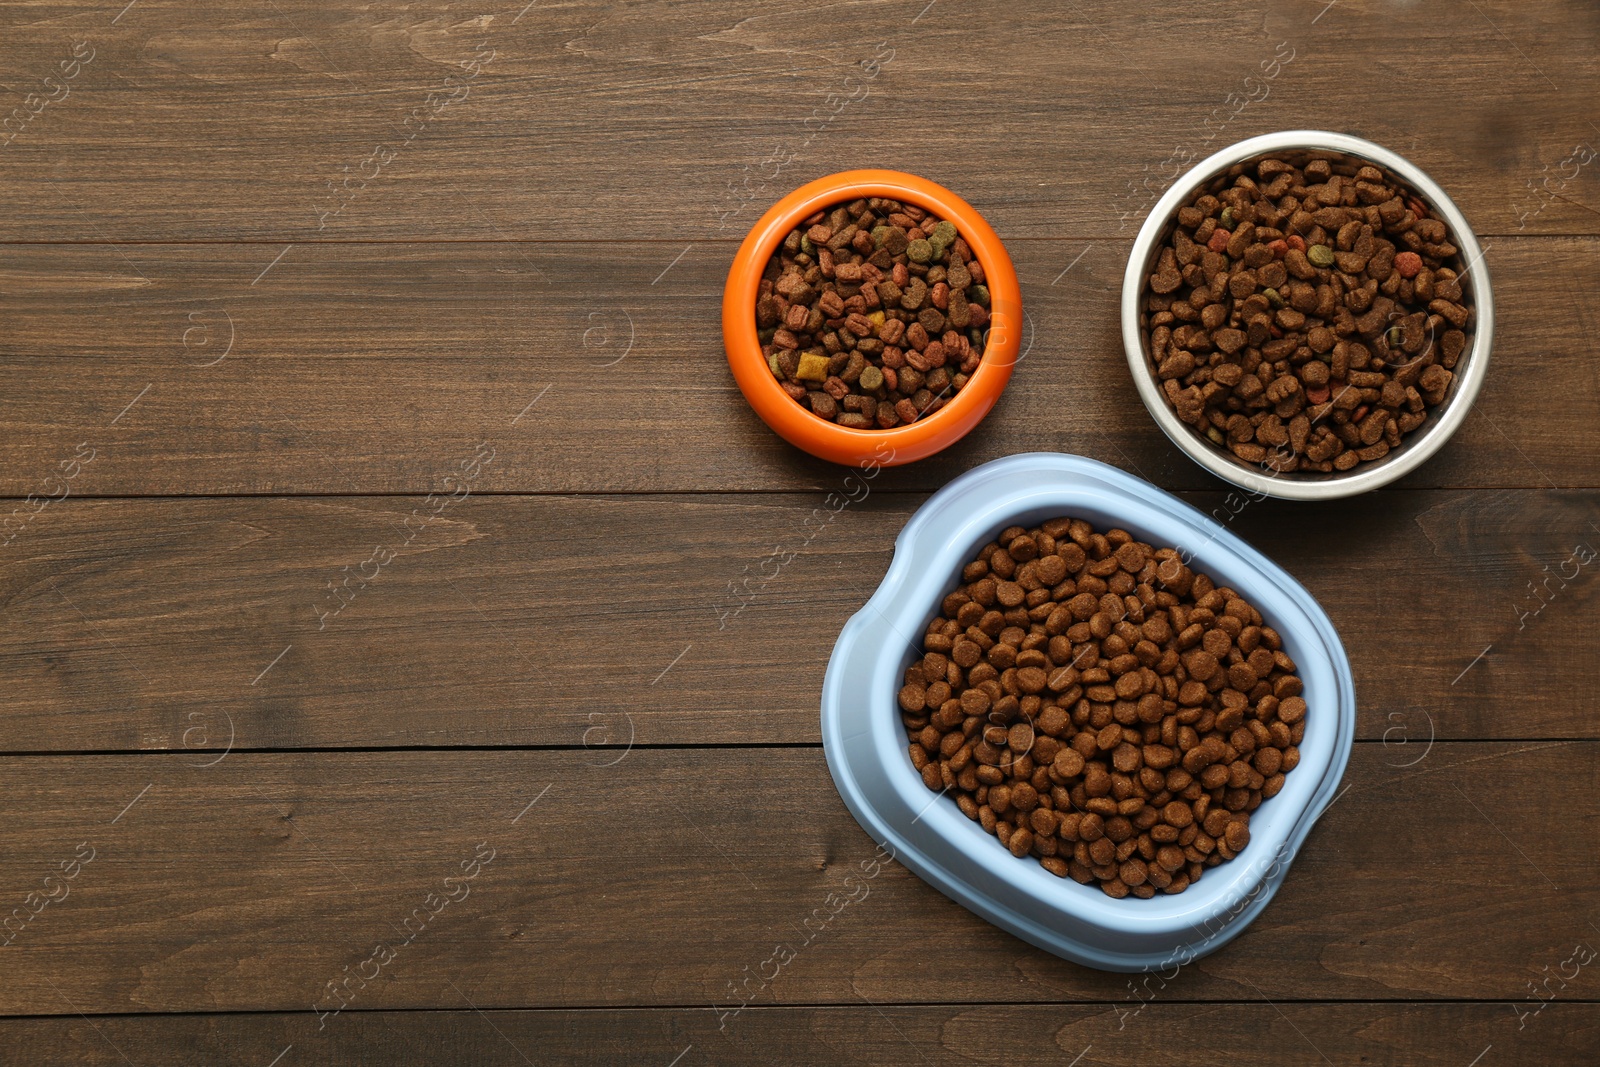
x,y
1097,705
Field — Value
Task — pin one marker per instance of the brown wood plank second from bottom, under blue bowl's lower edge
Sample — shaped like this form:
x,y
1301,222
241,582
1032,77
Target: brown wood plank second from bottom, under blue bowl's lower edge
x,y
657,882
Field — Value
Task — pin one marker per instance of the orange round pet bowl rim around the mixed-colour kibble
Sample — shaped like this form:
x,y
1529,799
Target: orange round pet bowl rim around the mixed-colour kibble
x,y
842,444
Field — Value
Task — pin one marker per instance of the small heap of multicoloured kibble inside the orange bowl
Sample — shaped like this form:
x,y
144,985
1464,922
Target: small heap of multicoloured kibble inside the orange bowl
x,y
873,314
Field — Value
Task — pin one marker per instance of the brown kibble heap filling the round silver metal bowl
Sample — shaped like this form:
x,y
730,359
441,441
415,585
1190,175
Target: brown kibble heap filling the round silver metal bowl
x,y
1303,314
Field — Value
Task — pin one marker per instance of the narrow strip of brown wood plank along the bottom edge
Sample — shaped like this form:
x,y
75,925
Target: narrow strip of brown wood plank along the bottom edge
x,y
1302,1034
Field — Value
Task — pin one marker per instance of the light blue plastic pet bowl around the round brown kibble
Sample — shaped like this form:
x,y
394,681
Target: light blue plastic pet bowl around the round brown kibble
x,y
866,745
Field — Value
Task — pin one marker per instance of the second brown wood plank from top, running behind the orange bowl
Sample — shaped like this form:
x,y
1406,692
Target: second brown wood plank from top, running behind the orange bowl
x,y
375,369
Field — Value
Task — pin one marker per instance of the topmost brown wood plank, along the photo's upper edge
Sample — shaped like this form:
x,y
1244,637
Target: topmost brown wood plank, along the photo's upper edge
x,y
231,124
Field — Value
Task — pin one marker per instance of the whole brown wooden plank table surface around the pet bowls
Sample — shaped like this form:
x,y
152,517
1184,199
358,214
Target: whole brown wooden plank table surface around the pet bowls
x,y
430,294
